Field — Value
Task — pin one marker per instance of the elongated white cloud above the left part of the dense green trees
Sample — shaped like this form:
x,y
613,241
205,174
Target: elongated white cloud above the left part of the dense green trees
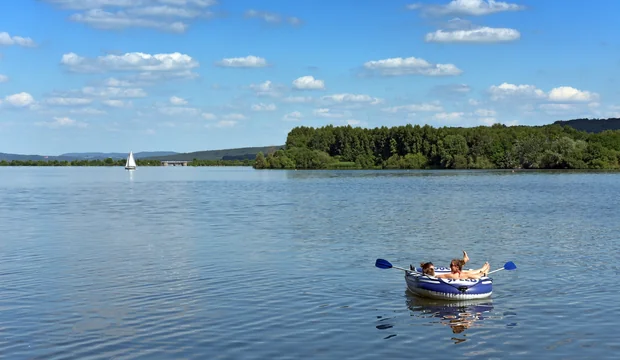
x,y
411,66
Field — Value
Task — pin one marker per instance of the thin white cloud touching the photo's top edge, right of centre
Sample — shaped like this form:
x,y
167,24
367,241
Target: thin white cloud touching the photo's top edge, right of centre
x,y
467,7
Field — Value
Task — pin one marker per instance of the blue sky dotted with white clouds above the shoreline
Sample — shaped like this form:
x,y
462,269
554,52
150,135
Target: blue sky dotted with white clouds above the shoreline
x,y
190,75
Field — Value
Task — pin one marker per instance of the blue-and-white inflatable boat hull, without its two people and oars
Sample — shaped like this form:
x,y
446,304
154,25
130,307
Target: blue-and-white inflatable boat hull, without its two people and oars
x,y
448,289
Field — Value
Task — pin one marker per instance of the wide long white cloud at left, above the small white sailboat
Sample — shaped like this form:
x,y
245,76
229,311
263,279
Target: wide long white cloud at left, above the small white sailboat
x,y
135,61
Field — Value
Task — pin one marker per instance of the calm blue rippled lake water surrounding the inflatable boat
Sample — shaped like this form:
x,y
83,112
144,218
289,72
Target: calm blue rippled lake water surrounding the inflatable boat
x,y
234,263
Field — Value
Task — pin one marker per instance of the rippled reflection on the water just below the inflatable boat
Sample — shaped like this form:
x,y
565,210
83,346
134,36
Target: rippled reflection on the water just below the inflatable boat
x,y
459,315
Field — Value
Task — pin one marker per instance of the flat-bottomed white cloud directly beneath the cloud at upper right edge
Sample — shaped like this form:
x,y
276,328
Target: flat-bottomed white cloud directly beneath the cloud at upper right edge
x,y
479,35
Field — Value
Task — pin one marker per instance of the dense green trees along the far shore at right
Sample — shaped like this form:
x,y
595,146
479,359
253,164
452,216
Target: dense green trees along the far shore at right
x,y
425,147
